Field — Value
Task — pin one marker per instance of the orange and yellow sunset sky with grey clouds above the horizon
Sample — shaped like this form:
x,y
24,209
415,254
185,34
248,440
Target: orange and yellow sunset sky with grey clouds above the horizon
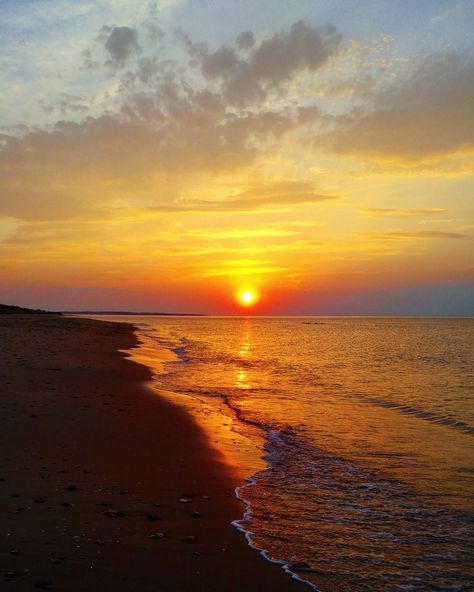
x,y
168,155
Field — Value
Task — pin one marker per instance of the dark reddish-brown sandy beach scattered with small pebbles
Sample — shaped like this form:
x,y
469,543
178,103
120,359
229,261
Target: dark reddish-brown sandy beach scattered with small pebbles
x,y
103,484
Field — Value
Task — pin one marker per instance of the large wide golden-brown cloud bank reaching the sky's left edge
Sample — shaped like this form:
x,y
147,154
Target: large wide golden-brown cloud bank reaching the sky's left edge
x,y
78,168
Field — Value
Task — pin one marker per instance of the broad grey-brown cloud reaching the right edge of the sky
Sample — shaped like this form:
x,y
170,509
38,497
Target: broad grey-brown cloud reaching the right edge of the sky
x,y
429,114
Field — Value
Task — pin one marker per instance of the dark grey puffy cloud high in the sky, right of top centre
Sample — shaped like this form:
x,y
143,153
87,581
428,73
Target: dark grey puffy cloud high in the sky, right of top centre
x,y
269,64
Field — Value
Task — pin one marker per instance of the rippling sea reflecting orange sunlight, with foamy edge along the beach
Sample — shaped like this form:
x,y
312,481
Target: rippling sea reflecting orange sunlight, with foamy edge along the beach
x,y
366,426
